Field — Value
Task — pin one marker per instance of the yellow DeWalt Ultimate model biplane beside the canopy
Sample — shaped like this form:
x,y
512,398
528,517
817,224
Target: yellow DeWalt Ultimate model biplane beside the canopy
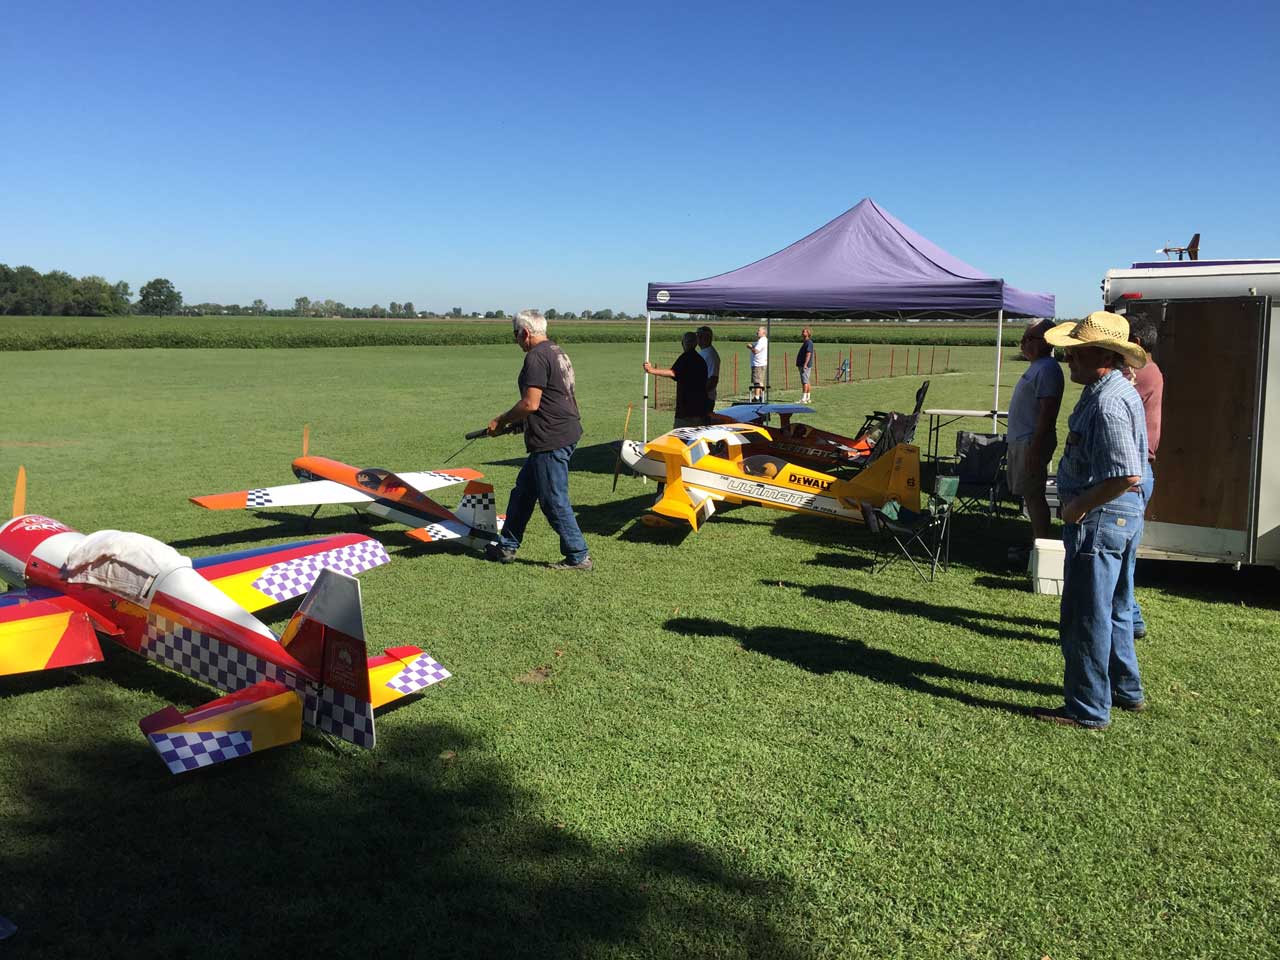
x,y
702,465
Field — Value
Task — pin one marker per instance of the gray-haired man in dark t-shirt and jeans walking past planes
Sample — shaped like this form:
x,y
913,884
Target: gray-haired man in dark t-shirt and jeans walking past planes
x,y
548,410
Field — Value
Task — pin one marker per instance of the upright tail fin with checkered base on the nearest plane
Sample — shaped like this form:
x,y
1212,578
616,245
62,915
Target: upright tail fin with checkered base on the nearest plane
x,y
327,636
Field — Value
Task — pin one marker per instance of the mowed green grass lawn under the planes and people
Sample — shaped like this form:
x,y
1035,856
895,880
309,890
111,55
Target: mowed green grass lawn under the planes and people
x,y
746,744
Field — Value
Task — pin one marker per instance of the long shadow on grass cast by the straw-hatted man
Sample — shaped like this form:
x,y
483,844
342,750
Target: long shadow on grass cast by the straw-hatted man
x,y
829,653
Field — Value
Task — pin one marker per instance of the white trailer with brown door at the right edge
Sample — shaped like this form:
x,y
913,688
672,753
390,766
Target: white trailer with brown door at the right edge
x,y
1218,469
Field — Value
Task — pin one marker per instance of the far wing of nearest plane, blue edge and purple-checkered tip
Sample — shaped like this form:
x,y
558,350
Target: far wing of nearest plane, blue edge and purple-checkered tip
x,y
268,575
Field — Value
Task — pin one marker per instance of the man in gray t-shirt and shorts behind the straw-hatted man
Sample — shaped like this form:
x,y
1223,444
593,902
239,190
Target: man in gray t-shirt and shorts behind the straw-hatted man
x,y
1034,426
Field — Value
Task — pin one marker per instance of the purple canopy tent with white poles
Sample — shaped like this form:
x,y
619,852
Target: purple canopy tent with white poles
x,y
863,264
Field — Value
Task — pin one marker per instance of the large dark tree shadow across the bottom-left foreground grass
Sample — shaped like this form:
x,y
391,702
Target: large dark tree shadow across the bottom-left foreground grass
x,y
438,853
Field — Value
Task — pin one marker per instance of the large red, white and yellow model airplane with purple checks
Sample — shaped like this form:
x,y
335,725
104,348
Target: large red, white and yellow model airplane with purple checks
x,y
196,618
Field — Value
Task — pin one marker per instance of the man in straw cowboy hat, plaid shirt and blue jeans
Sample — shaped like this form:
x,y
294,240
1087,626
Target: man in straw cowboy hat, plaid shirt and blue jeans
x,y
1099,484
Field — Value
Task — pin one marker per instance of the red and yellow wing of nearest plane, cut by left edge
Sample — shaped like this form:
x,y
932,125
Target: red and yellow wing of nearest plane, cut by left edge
x,y
42,629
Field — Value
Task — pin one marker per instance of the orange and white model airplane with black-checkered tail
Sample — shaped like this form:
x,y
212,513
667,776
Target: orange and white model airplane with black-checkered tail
x,y
381,493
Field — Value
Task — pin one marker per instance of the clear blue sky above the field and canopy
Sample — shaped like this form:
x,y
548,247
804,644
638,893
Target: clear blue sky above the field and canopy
x,y
495,156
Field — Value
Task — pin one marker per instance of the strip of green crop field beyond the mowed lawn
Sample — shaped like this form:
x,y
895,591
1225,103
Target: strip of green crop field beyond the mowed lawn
x,y
22,333
